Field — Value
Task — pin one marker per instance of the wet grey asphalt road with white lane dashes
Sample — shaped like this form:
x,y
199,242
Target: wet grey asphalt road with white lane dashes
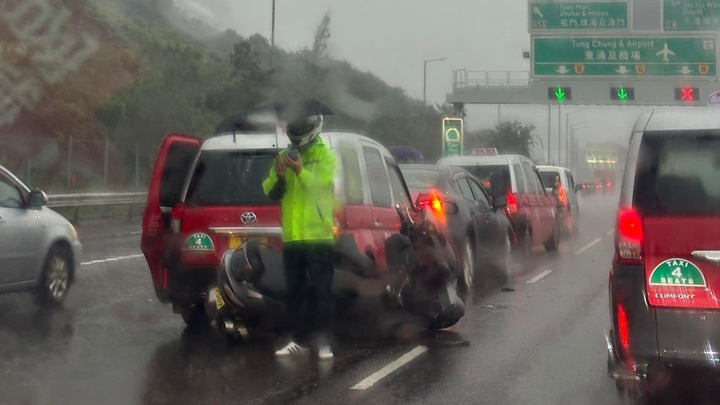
x,y
114,343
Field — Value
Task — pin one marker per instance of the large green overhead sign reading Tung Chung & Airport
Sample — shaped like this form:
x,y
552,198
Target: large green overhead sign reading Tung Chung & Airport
x,y
638,56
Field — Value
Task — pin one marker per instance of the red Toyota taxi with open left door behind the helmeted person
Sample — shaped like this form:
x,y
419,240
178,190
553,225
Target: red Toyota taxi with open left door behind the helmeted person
x,y
206,196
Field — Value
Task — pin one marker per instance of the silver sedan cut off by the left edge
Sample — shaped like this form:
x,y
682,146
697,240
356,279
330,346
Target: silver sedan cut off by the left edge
x,y
39,248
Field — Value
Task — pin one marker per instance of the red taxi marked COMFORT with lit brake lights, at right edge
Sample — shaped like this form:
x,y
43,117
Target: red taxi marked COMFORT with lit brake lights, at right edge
x,y
665,276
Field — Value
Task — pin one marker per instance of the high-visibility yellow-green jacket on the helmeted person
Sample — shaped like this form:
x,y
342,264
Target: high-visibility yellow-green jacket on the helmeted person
x,y
309,200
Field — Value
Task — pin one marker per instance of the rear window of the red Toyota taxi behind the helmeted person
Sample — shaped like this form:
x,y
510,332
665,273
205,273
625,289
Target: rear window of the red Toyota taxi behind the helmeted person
x,y
230,178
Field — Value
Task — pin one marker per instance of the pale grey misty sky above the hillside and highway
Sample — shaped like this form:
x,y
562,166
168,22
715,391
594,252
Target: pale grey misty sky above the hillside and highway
x,y
393,38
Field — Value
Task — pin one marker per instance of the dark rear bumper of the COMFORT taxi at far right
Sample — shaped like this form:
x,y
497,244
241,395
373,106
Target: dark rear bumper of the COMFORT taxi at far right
x,y
657,336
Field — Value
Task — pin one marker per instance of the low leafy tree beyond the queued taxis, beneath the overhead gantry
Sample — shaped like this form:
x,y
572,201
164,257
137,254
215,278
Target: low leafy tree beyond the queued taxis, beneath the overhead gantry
x,y
506,137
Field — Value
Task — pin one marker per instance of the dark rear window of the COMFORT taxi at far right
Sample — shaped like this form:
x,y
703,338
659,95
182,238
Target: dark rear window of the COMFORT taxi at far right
x,y
677,174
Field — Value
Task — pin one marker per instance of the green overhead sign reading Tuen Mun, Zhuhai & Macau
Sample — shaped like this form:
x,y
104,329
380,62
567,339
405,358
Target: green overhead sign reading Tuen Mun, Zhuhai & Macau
x,y
578,16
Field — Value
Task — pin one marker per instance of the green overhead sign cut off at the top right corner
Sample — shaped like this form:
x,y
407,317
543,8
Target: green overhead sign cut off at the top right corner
x,y
691,15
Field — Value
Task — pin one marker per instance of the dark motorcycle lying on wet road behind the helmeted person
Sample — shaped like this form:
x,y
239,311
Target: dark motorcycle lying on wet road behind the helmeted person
x,y
251,290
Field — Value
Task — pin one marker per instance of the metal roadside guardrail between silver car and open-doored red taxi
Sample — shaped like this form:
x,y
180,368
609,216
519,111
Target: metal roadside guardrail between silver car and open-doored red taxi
x,y
77,201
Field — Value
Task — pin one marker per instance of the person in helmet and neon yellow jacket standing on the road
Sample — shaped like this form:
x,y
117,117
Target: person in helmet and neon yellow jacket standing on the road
x,y
303,180
